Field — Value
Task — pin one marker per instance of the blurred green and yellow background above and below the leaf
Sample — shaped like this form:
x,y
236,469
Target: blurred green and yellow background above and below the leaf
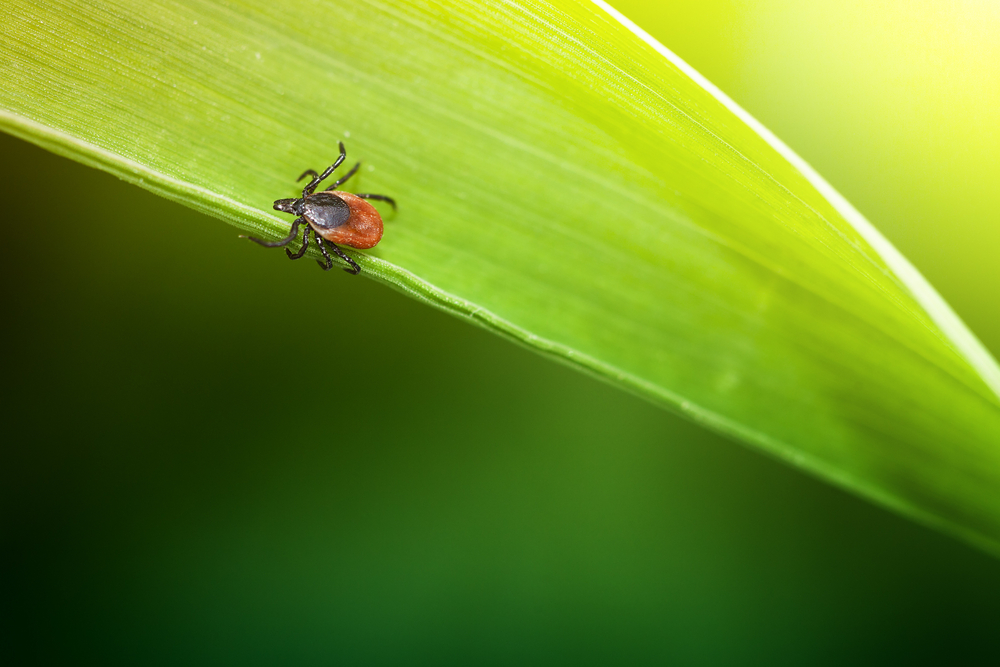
x,y
216,456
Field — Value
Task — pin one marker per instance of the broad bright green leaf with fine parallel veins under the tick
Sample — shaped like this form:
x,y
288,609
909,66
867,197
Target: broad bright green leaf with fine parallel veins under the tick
x,y
564,181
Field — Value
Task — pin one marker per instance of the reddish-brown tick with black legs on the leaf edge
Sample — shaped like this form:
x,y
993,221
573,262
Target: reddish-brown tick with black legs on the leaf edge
x,y
332,216
